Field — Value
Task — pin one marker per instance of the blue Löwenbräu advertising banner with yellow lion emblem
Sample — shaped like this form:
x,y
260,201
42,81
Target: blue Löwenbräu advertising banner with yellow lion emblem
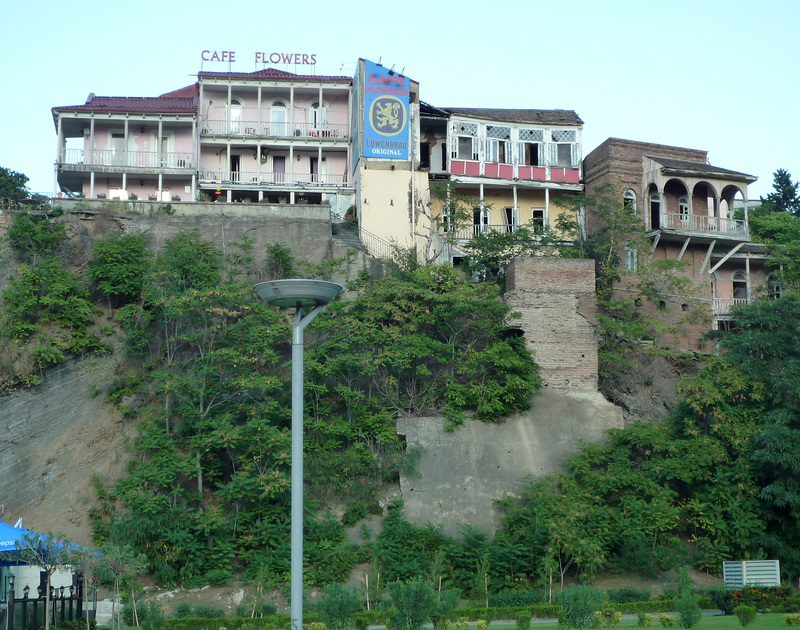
x,y
385,113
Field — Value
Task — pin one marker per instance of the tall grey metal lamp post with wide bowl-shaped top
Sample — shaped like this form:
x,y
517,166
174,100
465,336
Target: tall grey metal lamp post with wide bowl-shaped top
x,y
313,295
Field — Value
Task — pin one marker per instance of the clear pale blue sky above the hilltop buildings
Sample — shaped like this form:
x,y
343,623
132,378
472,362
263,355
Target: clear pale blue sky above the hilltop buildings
x,y
717,75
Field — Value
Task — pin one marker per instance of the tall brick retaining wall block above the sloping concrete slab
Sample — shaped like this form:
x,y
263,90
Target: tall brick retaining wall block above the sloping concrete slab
x,y
558,306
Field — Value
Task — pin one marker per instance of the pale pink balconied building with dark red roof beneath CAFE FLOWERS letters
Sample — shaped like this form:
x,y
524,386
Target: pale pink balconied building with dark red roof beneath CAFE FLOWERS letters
x,y
267,136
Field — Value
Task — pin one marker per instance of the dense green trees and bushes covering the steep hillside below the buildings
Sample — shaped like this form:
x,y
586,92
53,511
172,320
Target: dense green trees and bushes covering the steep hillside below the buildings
x,y
204,376
